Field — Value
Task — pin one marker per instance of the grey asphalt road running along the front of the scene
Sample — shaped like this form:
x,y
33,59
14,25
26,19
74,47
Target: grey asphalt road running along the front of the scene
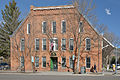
x,y
55,77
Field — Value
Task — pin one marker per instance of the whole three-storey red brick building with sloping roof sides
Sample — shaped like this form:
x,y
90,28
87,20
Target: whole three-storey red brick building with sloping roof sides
x,y
46,39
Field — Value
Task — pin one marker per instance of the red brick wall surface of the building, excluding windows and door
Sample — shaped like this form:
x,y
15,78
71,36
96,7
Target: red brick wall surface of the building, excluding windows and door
x,y
35,18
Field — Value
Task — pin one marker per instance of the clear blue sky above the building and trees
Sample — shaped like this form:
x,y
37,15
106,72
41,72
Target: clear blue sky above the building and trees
x,y
107,11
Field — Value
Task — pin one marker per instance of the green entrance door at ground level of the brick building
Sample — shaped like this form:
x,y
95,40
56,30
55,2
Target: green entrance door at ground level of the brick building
x,y
54,64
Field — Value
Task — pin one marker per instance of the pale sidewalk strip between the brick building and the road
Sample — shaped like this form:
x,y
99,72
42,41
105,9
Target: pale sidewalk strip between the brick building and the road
x,y
61,73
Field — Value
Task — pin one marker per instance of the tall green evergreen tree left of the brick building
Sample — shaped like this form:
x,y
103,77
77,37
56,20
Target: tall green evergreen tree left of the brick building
x,y
10,22
